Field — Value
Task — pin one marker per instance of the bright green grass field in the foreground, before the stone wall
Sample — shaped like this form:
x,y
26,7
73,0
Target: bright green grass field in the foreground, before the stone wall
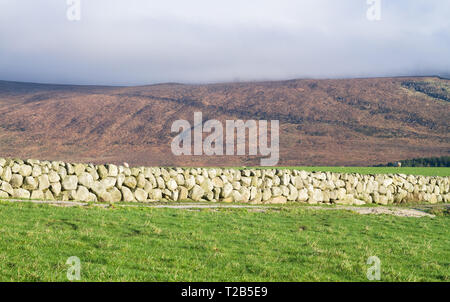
x,y
283,244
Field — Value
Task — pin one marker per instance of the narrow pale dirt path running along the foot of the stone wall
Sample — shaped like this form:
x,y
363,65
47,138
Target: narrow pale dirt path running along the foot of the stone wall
x,y
395,211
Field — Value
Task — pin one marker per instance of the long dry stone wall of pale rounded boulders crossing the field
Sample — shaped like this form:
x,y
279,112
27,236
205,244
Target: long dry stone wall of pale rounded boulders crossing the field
x,y
56,180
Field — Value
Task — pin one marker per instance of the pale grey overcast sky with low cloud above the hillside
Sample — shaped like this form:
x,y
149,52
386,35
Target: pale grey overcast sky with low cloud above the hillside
x,y
137,42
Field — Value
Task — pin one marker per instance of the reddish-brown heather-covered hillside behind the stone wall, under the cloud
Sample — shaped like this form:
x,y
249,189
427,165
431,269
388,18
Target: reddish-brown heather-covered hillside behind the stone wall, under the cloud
x,y
322,122
